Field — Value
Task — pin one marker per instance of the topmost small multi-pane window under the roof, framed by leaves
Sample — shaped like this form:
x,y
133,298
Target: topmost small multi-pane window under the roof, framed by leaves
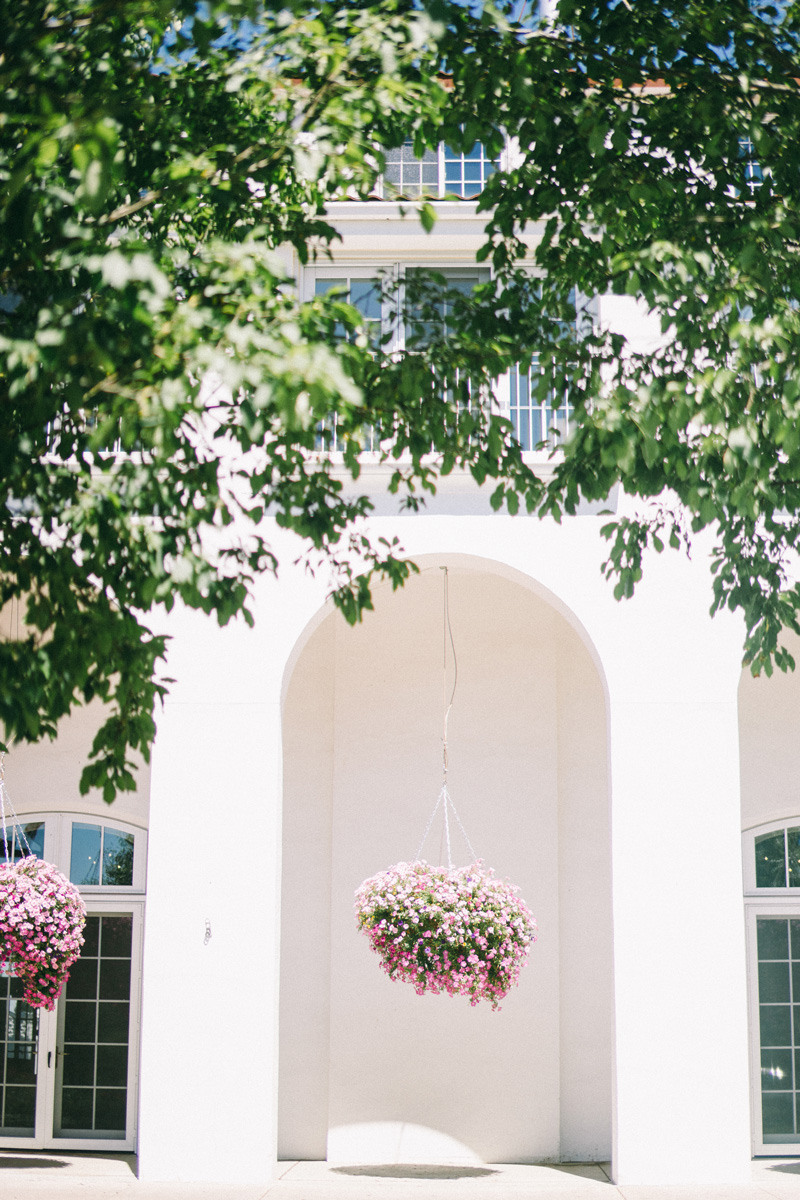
x,y
438,173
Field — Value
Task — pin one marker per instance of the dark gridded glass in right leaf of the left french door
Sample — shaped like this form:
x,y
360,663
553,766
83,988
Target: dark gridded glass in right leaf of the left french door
x,y
94,1029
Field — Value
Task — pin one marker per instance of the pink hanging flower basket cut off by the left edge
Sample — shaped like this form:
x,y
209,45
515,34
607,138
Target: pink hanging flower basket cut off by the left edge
x,y
41,928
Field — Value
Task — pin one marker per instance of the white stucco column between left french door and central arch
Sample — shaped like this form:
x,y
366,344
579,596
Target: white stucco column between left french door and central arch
x,y
209,1063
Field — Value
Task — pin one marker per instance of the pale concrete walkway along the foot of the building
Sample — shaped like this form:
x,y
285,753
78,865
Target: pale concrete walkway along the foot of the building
x,y
55,1177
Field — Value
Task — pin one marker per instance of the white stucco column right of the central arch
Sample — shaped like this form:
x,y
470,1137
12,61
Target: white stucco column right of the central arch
x,y
682,1082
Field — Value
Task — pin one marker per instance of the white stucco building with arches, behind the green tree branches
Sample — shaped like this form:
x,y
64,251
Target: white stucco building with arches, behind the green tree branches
x,y
611,759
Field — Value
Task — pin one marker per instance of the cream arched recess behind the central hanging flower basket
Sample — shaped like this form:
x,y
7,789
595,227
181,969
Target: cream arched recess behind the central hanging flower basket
x,y
369,1070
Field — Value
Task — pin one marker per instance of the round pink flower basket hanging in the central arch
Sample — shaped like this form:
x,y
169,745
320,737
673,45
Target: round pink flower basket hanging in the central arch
x,y
447,929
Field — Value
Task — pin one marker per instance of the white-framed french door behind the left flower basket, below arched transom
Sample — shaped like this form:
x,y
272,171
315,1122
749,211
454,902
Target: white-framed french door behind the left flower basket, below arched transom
x,y
69,1078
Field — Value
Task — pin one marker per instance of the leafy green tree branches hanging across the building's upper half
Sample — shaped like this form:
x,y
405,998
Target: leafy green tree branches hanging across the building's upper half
x,y
158,163
